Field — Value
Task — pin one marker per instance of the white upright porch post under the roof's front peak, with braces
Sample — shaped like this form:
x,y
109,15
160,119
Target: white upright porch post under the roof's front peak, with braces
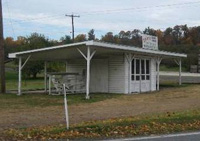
x,y
88,74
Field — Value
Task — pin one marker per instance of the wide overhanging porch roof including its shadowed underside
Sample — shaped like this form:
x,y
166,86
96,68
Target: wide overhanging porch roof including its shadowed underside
x,y
69,51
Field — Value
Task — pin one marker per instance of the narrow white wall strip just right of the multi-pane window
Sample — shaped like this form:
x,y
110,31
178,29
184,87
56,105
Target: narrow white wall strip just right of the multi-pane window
x,y
153,74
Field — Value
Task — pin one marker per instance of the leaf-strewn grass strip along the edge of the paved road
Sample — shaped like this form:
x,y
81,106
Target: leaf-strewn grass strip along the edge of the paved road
x,y
115,128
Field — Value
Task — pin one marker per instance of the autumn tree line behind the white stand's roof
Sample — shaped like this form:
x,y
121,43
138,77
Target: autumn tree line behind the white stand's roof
x,y
180,38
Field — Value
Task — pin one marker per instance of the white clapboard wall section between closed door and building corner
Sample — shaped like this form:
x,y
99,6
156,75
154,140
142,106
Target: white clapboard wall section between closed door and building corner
x,y
116,77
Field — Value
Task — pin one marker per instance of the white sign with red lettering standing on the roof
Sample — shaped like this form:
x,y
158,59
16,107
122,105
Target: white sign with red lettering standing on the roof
x,y
149,42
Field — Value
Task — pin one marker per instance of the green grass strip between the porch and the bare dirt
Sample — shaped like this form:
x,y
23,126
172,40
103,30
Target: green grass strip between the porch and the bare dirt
x,y
9,101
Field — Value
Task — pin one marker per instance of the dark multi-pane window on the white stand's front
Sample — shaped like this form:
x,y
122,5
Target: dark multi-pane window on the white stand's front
x,y
140,69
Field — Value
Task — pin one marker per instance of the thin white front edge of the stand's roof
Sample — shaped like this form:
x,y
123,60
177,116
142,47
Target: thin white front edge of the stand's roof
x,y
102,45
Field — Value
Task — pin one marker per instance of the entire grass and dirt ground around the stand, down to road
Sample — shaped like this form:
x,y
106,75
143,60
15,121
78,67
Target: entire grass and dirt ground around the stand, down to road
x,y
173,109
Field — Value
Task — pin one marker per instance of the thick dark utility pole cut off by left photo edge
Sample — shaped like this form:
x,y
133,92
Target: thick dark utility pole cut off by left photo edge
x,y
2,53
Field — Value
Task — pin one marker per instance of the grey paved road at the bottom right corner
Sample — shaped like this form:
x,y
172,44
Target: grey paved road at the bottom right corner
x,y
195,136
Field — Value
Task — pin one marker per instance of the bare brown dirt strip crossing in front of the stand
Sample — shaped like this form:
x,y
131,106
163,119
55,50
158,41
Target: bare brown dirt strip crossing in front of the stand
x,y
167,100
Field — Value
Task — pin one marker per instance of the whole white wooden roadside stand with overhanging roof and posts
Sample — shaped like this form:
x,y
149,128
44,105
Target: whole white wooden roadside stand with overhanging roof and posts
x,y
109,68
